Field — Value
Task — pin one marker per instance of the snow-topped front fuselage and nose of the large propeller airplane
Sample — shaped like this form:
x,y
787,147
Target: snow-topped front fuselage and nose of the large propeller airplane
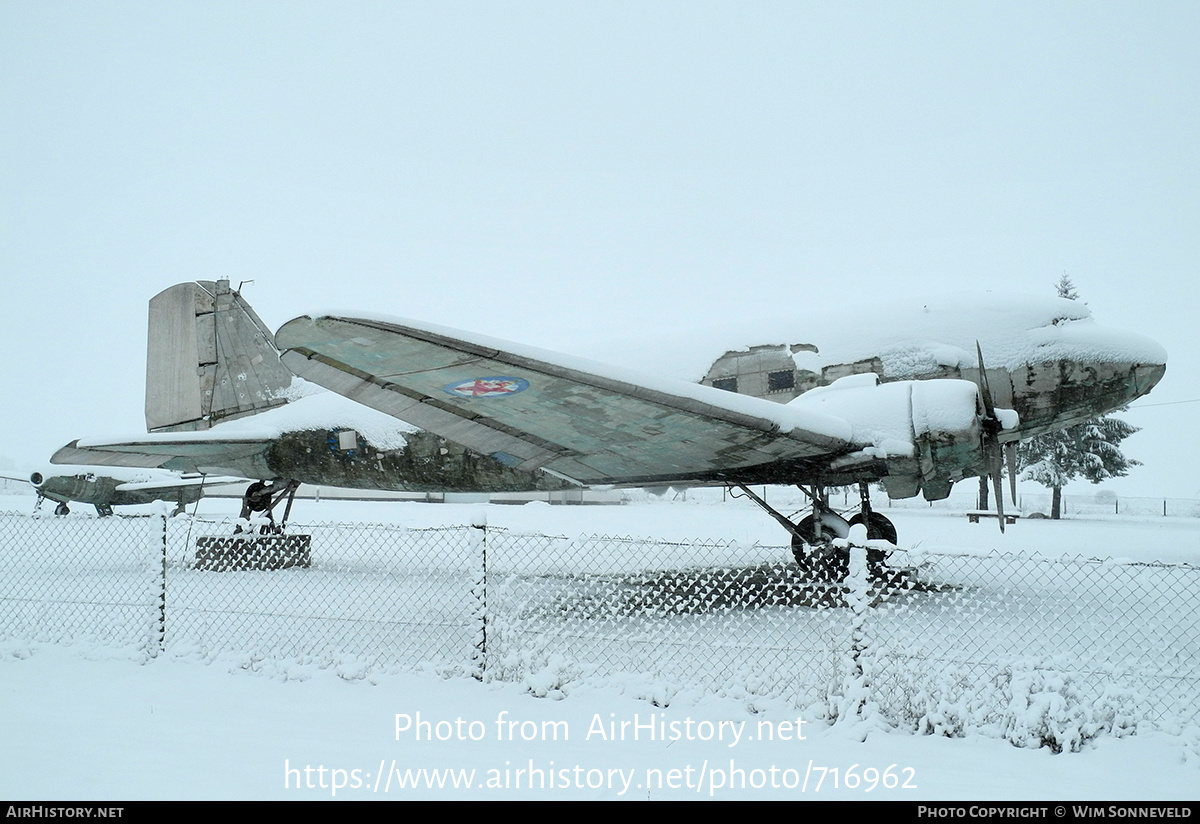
x,y
1047,359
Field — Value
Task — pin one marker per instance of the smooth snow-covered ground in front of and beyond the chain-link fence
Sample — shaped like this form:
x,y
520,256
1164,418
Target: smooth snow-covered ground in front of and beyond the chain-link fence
x,y
92,723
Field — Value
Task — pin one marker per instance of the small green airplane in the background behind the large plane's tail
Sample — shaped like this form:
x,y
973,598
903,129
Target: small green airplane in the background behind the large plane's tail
x,y
116,488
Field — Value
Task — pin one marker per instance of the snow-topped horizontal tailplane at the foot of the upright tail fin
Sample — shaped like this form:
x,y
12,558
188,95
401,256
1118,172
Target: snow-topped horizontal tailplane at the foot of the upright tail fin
x,y
185,453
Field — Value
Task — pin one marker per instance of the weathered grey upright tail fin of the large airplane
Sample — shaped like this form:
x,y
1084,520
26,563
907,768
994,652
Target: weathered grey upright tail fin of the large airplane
x,y
209,359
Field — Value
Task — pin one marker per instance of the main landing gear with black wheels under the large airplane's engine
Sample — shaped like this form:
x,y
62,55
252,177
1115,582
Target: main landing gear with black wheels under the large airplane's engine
x,y
814,538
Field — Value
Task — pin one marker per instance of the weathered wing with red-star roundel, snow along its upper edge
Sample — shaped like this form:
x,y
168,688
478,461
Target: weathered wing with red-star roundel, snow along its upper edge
x,y
530,408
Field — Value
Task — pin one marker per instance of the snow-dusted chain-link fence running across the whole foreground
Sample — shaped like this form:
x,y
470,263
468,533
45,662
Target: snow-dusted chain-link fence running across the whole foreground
x,y
1041,652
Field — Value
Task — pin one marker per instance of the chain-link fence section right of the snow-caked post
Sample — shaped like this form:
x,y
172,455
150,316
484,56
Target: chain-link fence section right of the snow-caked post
x,y
1035,649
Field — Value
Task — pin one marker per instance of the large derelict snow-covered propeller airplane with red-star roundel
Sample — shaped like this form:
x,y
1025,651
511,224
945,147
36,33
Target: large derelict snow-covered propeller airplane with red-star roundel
x,y
914,400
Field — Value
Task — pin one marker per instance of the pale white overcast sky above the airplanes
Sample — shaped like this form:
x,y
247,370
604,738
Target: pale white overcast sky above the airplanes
x,y
551,172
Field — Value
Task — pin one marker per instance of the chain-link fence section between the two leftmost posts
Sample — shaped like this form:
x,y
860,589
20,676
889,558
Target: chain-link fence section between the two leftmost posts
x,y
380,596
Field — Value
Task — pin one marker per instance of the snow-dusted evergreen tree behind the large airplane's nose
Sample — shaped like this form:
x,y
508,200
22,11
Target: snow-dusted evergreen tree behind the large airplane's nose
x,y
1090,450
